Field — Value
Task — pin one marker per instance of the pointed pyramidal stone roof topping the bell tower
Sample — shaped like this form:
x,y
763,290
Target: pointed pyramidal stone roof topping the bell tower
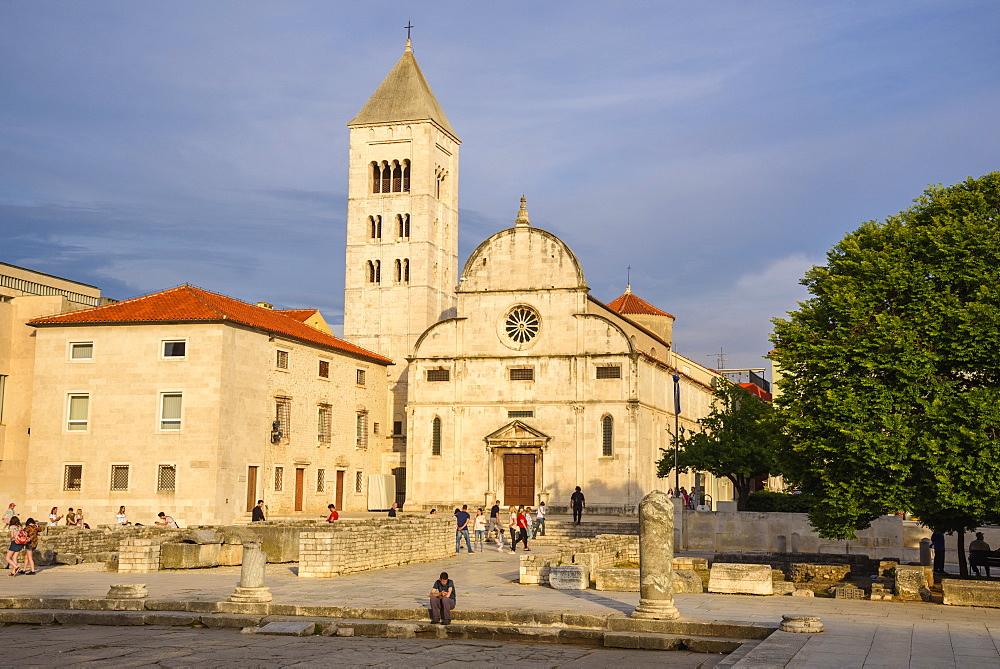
x,y
404,95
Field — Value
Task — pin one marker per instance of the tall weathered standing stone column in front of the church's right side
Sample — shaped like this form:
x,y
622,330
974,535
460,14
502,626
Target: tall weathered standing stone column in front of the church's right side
x,y
656,556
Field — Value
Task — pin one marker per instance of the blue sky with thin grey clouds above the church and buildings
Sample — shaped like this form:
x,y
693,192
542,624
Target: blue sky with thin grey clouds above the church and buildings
x,y
719,148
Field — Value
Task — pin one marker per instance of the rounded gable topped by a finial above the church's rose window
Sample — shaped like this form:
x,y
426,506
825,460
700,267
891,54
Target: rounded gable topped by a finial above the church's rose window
x,y
522,258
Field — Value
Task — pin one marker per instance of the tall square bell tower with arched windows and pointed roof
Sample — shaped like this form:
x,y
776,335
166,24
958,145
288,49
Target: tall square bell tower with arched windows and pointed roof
x,y
402,223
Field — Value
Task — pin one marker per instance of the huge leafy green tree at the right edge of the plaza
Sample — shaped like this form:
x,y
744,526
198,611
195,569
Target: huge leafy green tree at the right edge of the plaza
x,y
891,386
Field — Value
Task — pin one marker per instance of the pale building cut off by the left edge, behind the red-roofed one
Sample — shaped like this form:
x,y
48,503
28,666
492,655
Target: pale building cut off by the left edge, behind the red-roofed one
x,y
26,294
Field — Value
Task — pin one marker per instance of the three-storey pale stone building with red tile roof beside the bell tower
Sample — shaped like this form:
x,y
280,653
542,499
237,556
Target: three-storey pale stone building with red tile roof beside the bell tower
x,y
199,404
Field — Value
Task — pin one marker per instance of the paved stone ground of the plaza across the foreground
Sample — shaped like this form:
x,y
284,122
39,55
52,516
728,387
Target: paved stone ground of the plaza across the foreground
x,y
858,633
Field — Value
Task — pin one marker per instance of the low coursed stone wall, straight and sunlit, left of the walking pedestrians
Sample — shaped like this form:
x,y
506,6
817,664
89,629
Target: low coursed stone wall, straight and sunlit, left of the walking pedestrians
x,y
351,546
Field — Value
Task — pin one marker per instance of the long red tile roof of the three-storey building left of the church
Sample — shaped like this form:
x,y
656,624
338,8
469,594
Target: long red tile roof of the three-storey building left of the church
x,y
191,304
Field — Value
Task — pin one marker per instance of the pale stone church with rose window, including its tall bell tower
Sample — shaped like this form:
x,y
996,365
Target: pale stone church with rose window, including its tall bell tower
x,y
511,381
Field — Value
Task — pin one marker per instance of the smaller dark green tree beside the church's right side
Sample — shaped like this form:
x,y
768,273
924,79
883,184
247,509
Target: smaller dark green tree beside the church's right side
x,y
738,441
